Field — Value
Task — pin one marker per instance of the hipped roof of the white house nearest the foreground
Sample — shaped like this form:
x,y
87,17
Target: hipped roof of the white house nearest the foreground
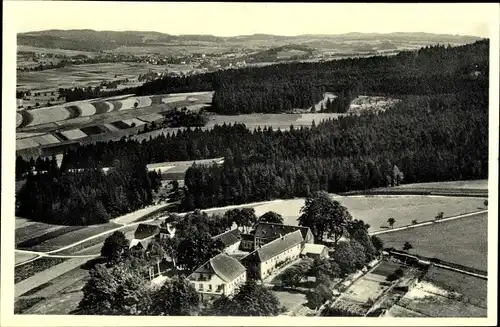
x,y
224,266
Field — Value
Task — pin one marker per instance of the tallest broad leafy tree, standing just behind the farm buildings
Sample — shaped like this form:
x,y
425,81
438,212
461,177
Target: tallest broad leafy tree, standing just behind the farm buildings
x,y
324,216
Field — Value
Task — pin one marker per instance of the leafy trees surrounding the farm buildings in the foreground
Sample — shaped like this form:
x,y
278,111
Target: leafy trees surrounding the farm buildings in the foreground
x,y
120,284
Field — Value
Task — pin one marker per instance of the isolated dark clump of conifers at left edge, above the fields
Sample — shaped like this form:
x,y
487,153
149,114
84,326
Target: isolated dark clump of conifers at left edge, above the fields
x,y
86,197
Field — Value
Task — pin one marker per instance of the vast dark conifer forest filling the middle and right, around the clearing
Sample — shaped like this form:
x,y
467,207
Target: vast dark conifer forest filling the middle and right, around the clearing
x,y
438,132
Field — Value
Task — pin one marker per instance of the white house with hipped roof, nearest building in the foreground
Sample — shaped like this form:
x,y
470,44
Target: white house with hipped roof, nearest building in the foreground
x,y
220,275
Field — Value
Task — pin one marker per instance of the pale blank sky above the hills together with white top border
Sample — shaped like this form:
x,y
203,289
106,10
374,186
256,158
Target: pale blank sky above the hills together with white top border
x,y
229,19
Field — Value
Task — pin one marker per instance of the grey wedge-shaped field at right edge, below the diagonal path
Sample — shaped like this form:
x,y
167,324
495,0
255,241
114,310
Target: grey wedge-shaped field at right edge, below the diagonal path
x,y
463,241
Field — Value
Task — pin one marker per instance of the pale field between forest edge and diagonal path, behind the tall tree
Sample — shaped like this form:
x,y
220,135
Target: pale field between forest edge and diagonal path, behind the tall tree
x,y
375,210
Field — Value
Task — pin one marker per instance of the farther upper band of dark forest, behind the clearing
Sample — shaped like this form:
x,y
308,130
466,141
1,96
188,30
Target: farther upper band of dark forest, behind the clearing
x,y
277,88
